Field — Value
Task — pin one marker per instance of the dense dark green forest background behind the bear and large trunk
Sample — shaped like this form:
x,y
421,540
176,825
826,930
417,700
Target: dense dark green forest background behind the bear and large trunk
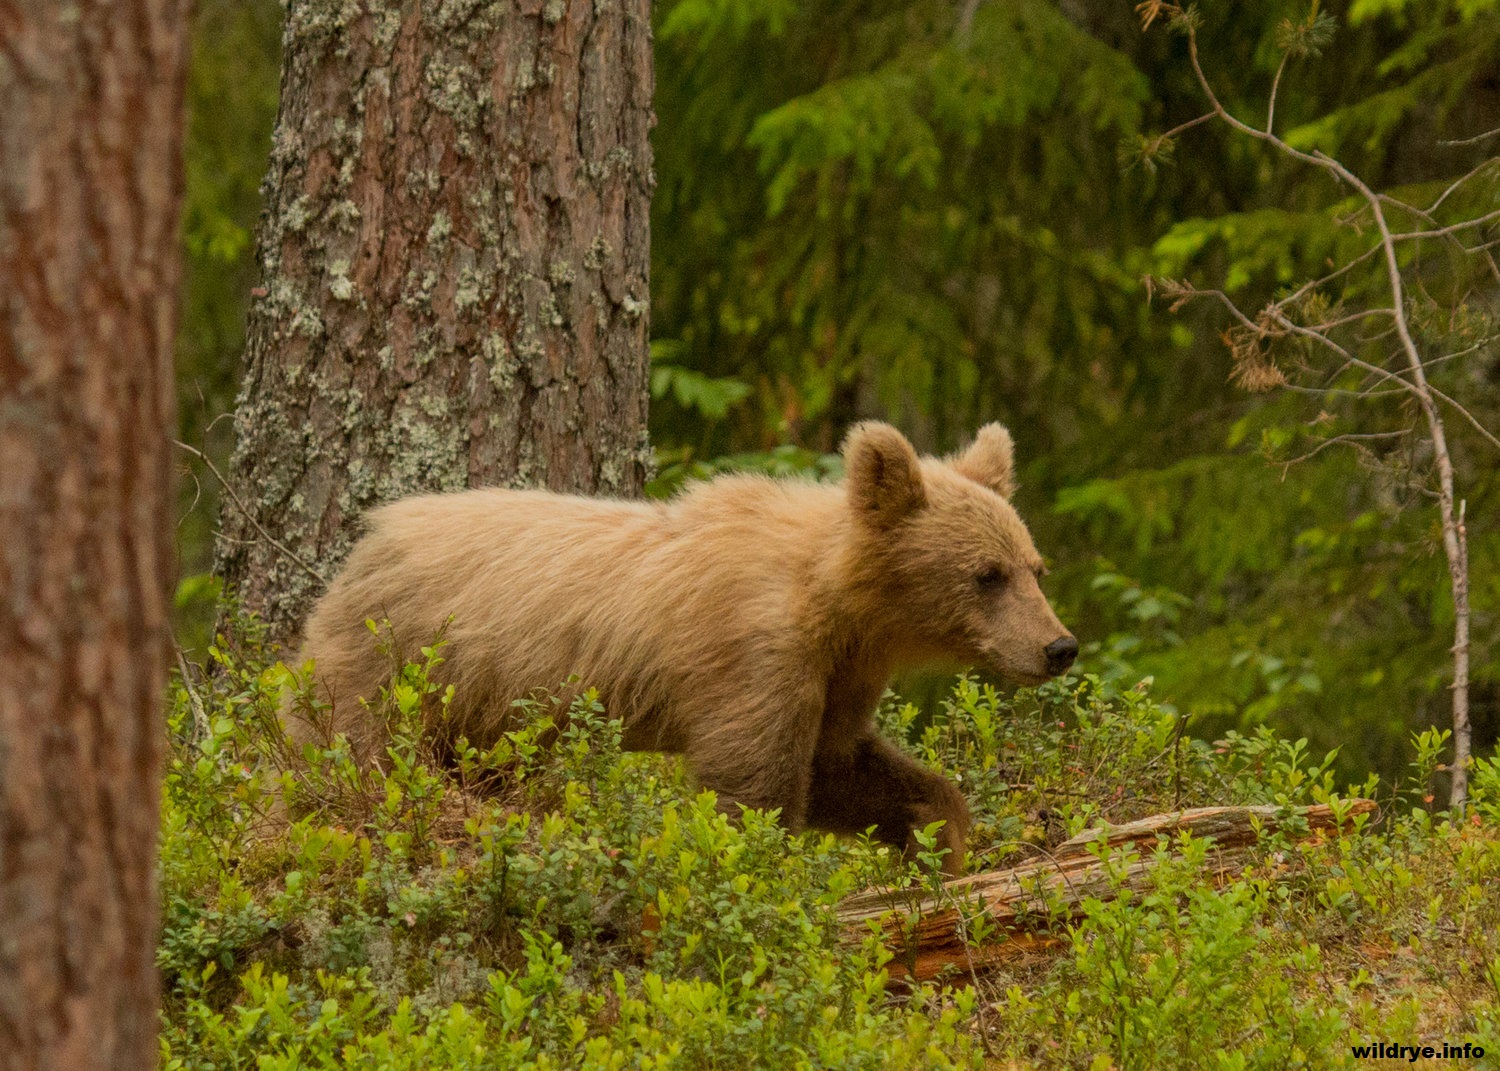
x,y
944,214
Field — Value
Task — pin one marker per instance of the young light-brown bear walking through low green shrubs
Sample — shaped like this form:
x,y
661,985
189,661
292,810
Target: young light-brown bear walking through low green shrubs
x,y
749,623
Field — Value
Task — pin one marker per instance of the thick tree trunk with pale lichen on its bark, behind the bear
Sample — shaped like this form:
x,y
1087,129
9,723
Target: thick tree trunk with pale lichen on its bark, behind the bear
x,y
455,256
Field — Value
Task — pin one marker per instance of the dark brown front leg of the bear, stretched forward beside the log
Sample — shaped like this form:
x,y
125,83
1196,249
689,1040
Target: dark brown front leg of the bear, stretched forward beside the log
x,y
874,784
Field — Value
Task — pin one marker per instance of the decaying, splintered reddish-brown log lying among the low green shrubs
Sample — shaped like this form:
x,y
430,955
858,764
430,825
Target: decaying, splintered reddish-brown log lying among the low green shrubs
x,y
929,934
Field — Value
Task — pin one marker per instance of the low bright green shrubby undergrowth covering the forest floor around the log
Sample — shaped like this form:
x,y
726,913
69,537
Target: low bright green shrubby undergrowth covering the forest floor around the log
x,y
554,902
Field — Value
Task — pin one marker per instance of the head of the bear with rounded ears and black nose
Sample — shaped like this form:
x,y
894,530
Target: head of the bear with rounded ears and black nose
x,y
946,557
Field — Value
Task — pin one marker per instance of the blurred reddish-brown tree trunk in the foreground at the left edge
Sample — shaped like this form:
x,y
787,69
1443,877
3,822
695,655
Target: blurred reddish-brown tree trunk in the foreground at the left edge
x,y
91,185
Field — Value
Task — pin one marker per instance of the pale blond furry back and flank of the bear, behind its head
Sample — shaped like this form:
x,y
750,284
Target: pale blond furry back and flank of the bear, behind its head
x,y
644,601
